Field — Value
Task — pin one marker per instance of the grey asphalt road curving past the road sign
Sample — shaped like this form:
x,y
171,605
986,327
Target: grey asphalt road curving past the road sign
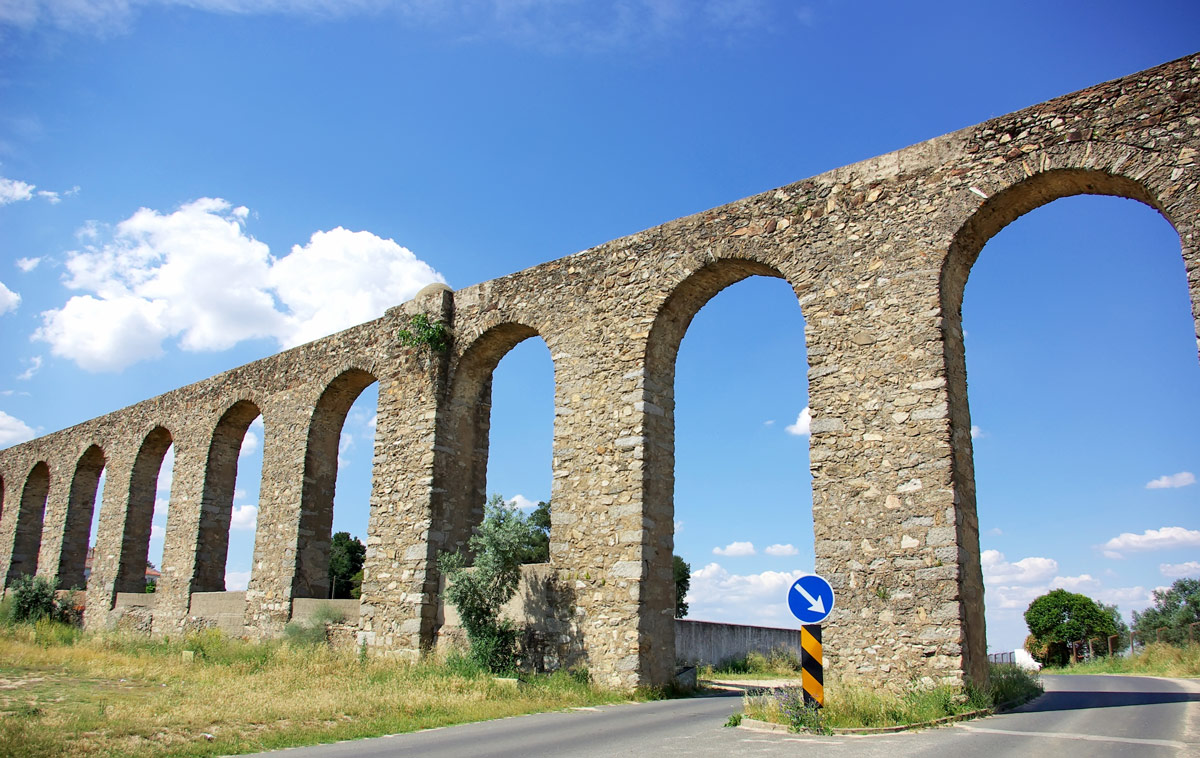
x,y
1079,717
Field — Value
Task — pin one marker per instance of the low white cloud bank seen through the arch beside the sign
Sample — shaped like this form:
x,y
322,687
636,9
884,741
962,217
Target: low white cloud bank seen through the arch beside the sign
x,y
717,595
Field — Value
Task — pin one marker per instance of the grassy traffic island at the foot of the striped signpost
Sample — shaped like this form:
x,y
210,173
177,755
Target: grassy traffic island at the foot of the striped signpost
x,y
849,707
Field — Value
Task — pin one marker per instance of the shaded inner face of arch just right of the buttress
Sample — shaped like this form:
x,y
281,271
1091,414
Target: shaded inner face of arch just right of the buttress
x,y
470,411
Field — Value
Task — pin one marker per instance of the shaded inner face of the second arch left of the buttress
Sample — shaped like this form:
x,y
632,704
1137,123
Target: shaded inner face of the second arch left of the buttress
x,y
217,500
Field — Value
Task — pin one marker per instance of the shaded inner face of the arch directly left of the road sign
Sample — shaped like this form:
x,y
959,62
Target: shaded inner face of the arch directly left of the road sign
x,y
668,332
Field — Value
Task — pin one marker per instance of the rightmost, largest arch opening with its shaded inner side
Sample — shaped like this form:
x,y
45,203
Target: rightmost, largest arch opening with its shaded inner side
x,y
1099,333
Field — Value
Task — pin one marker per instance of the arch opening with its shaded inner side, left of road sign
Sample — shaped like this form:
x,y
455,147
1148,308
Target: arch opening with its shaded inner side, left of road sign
x,y
680,450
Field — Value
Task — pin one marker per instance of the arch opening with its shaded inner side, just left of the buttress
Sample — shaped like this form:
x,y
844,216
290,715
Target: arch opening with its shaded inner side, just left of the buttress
x,y
329,449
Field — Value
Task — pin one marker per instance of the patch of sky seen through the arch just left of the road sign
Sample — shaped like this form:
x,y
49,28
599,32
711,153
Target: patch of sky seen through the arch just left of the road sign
x,y
743,488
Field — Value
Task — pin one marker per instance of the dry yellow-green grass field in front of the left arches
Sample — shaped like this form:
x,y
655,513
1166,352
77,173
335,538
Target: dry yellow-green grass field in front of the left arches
x,y
67,694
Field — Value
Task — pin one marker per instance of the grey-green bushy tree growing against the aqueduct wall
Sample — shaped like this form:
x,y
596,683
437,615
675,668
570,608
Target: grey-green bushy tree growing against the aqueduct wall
x,y
479,593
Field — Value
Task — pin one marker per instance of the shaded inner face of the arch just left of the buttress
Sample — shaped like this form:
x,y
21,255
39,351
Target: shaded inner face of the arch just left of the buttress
x,y
311,579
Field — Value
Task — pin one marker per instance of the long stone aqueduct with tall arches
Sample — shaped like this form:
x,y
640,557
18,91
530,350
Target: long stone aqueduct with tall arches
x,y
878,255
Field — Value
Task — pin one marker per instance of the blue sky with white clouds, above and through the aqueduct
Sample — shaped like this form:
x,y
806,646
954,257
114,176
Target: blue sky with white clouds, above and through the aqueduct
x,y
190,187
